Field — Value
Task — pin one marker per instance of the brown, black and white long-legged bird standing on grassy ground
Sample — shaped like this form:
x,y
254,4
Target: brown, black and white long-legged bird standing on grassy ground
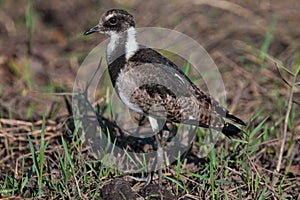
x,y
152,85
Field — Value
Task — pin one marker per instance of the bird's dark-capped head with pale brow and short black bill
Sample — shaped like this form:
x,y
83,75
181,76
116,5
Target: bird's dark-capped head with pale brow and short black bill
x,y
113,21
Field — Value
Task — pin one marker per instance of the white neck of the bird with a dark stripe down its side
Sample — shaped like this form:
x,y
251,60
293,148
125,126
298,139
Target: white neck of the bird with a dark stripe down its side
x,y
121,44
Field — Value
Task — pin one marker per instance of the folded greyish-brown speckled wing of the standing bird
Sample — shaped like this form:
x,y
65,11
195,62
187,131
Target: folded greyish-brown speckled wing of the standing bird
x,y
160,91
